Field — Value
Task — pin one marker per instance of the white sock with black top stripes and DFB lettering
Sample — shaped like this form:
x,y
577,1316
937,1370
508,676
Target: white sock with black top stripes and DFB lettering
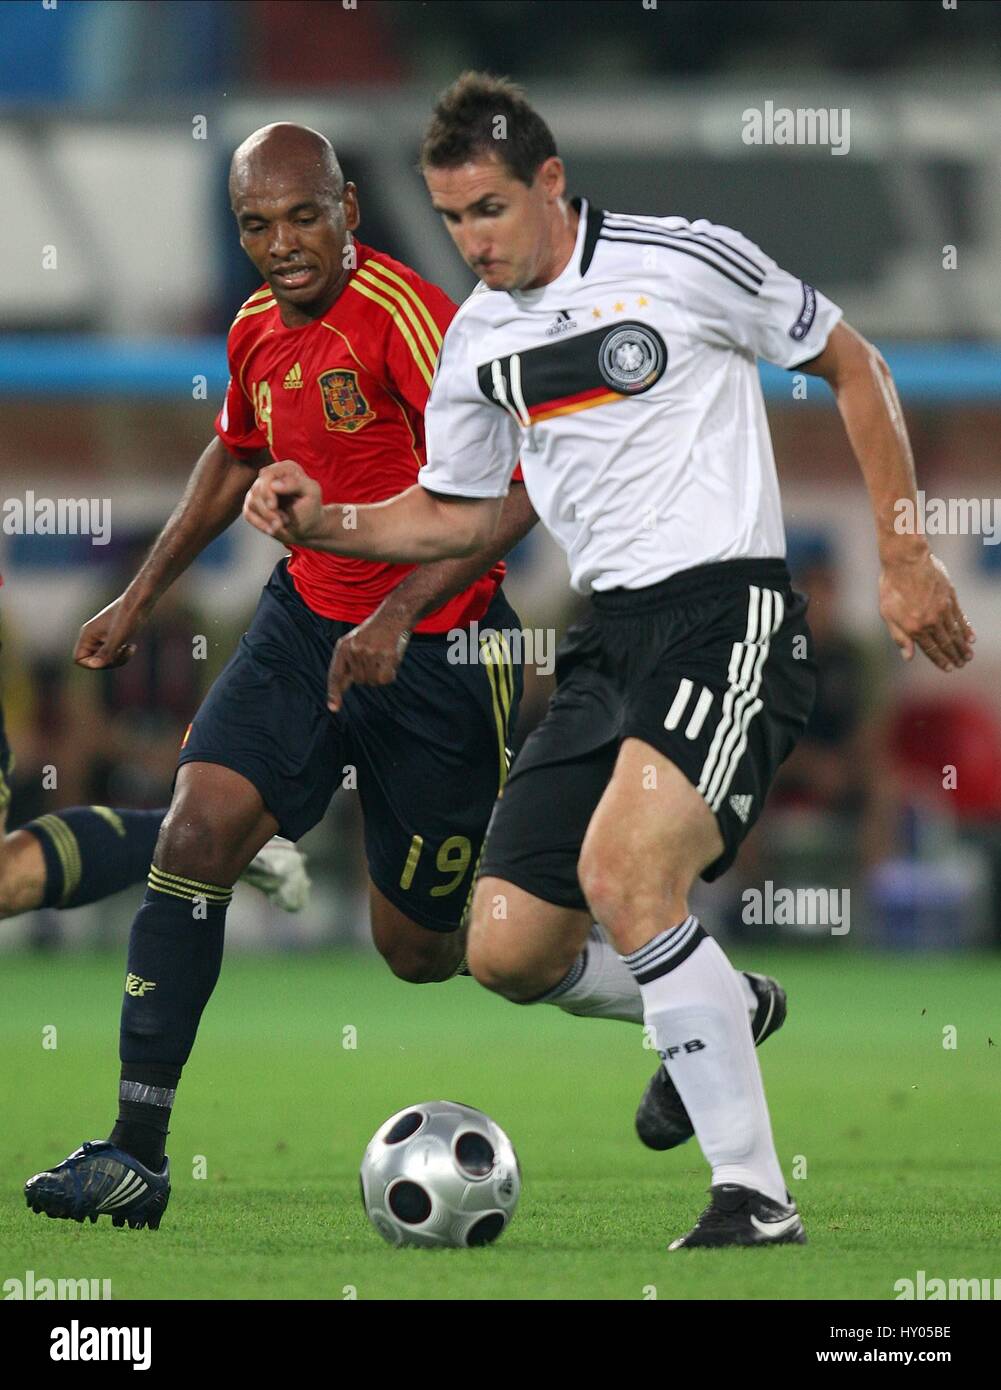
x,y
699,1014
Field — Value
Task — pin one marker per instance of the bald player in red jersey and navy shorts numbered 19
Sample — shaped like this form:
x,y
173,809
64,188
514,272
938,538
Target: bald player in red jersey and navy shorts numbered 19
x,y
332,363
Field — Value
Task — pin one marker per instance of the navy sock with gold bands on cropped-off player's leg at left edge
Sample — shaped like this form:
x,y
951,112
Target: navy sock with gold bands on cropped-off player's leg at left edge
x,y
94,851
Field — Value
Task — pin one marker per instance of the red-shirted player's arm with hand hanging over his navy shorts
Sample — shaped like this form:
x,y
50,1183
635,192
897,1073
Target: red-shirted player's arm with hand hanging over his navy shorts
x,y
372,653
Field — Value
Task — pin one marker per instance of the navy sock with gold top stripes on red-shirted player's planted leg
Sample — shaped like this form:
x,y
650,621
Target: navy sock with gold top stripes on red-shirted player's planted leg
x,y
174,960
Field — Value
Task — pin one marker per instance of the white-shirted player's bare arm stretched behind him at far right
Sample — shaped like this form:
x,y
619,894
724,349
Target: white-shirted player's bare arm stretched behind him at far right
x,y
917,600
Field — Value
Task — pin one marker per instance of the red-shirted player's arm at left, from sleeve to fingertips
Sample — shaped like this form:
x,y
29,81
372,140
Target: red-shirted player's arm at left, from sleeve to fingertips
x,y
211,502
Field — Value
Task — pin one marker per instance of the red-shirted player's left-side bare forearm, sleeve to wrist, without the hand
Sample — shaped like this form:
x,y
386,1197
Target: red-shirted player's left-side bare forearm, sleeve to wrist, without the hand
x,y
212,501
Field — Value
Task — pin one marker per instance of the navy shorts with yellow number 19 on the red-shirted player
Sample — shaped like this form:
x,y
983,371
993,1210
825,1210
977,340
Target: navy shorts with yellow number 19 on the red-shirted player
x,y
428,754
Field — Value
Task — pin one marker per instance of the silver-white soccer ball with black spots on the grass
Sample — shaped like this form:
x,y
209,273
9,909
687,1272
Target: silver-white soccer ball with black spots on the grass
x,y
440,1174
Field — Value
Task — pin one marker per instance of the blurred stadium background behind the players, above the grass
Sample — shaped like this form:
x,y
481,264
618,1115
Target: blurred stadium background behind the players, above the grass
x,y
117,122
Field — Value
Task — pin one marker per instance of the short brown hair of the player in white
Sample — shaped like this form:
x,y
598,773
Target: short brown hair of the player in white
x,y
465,126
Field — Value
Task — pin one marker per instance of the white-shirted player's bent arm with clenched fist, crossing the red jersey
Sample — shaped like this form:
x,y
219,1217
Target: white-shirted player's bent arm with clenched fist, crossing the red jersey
x,y
411,529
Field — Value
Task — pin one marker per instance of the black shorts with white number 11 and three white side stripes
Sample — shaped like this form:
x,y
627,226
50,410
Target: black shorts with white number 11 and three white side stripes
x,y
711,668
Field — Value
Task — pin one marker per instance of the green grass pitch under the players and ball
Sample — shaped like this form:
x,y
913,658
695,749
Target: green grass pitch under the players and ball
x,y
897,1134
